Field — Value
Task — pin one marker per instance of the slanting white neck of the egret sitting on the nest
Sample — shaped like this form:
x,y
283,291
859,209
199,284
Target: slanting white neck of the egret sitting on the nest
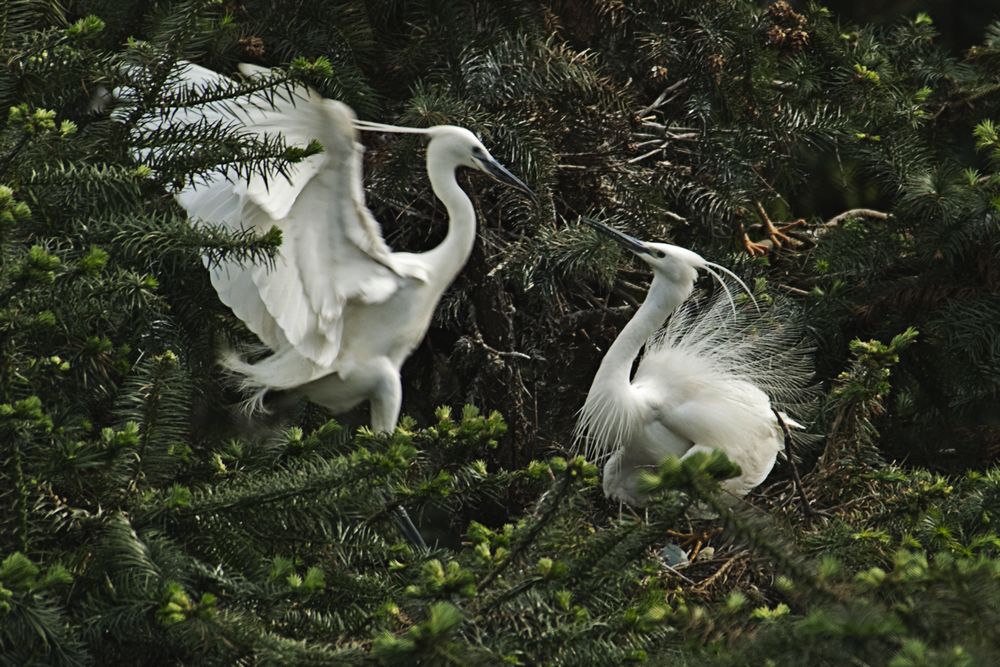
x,y
663,298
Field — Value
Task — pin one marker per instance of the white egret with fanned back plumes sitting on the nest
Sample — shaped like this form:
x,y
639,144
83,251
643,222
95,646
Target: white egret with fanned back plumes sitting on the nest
x,y
703,382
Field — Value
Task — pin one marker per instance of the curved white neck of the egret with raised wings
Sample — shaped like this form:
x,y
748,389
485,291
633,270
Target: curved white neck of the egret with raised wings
x,y
450,255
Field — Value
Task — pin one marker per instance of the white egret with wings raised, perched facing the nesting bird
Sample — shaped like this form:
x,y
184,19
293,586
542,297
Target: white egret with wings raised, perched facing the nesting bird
x,y
338,309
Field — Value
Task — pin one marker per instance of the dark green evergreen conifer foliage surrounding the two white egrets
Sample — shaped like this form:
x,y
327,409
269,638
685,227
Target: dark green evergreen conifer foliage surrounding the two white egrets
x,y
143,520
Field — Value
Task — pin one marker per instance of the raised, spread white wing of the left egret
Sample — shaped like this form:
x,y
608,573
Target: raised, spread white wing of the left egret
x,y
332,251
